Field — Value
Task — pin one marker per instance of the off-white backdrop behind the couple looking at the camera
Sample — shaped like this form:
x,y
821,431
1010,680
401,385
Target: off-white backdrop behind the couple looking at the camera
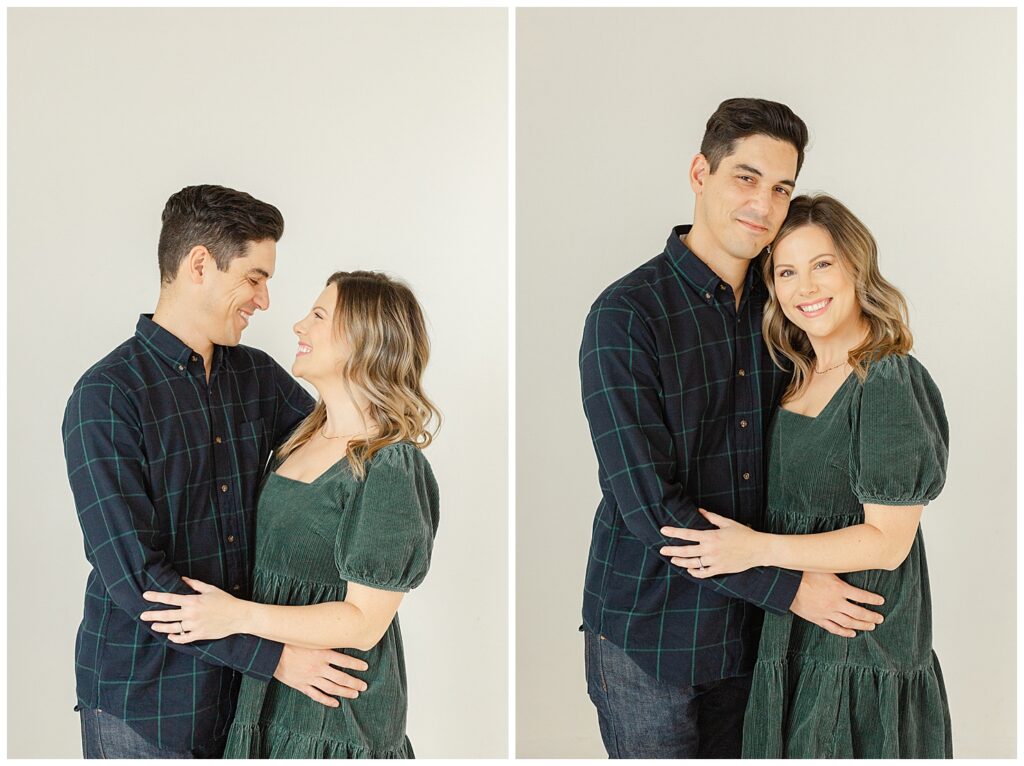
x,y
912,116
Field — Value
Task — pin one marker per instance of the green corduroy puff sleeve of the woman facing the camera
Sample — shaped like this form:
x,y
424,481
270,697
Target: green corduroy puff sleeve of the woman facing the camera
x,y
901,436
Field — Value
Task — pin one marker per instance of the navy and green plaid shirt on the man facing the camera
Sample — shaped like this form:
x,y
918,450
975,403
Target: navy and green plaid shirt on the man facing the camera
x,y
678,389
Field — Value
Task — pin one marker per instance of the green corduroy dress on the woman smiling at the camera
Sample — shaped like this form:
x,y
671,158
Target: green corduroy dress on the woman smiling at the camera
x,y
880,695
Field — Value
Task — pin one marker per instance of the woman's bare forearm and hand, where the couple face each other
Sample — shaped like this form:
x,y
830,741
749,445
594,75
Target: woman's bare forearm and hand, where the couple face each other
x,y
357,623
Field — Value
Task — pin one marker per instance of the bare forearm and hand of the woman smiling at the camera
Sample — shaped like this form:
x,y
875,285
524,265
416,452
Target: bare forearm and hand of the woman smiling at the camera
x,y
883,542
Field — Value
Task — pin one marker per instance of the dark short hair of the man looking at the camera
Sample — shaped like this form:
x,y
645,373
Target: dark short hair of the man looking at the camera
x,y
739,118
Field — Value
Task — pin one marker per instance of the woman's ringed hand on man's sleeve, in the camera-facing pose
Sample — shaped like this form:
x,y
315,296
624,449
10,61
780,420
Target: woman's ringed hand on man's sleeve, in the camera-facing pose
x,y
734,547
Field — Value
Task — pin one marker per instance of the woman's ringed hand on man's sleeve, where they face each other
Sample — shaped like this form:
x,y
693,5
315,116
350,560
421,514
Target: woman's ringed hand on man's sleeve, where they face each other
x,y
212,614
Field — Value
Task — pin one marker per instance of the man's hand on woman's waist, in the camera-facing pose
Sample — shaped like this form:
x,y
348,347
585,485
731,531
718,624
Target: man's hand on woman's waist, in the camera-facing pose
x,y
826,601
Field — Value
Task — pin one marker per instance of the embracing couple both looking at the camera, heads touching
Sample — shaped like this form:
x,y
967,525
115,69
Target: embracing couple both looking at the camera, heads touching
x,y
761,429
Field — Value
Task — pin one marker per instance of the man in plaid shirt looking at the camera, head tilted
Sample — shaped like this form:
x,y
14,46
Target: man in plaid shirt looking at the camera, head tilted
x,y
678,389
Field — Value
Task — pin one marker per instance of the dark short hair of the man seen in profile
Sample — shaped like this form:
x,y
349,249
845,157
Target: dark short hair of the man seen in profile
x,y
222,220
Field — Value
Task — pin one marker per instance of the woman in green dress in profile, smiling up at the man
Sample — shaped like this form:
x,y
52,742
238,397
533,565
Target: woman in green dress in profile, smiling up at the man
x,y
346,526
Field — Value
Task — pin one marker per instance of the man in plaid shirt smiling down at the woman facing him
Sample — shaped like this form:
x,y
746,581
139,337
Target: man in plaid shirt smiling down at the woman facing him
x,y
166,439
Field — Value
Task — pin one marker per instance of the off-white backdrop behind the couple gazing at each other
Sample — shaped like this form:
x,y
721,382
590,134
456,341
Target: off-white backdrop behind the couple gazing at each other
x,y
382,138
